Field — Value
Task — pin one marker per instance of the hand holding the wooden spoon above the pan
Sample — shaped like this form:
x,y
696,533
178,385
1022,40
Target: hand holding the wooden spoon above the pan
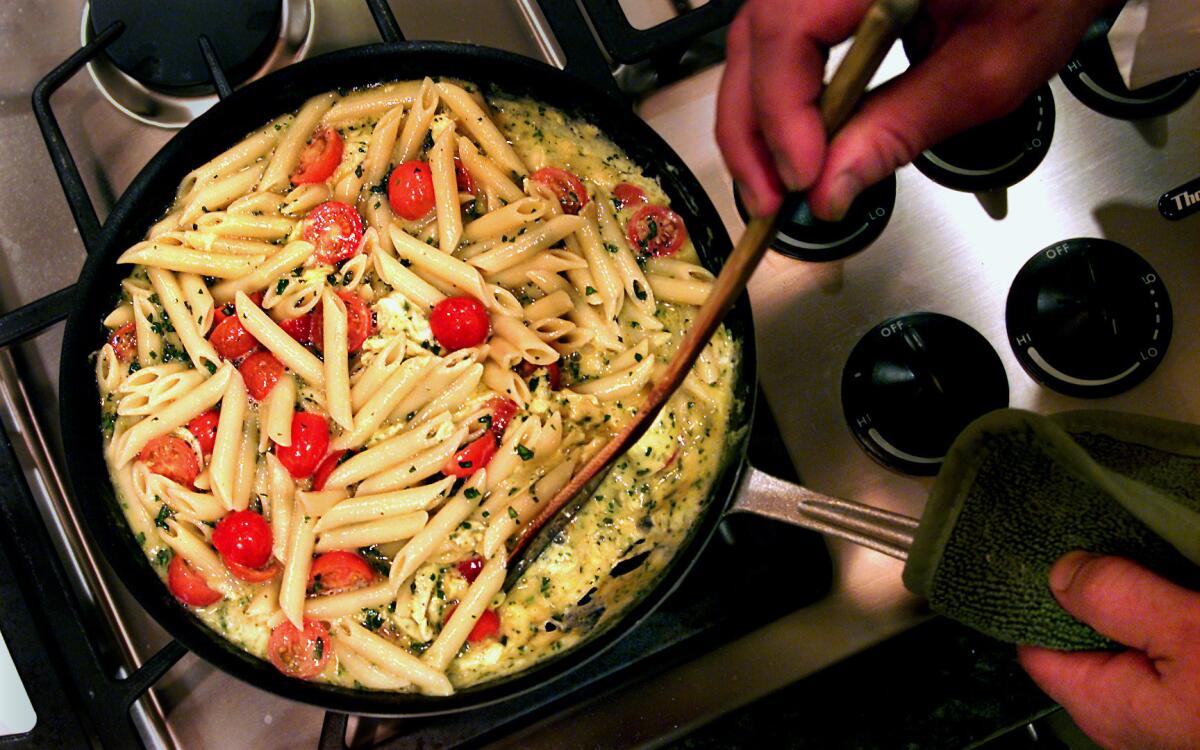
x,y
981,59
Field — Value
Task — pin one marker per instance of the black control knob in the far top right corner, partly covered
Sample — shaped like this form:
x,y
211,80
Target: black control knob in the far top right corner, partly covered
x,y
1093,76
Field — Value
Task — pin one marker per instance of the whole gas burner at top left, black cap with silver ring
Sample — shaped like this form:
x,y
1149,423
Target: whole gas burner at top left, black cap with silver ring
x,y
171,92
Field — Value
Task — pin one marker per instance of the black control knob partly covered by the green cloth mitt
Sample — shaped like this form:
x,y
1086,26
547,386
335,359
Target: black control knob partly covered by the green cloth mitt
x,y
914,383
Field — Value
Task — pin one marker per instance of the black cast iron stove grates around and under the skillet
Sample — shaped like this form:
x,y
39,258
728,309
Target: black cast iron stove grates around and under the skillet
x,y
44,623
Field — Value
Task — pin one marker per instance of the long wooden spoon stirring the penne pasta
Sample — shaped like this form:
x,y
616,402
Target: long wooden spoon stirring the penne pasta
x,y
873,40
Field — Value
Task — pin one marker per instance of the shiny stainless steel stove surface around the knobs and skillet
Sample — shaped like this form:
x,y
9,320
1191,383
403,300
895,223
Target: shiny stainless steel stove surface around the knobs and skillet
x,y
941,251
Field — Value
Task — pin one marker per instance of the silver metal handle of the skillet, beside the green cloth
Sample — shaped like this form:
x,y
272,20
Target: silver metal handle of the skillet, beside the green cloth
x,y
871,527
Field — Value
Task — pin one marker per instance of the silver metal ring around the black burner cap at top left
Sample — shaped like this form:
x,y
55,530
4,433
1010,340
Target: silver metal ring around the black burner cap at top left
x,y
171,112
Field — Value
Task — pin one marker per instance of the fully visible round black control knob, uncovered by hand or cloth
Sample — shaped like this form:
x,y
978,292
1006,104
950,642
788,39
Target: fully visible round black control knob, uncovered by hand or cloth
x,y
1089,317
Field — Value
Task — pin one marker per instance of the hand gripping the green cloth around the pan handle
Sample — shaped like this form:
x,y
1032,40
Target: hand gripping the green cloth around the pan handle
x,y
1145,698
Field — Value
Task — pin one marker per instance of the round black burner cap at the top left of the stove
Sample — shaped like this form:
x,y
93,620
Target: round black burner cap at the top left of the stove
x,y
160,46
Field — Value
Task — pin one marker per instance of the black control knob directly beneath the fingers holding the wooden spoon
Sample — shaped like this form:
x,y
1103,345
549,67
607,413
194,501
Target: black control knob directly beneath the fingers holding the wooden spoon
x,y
807,238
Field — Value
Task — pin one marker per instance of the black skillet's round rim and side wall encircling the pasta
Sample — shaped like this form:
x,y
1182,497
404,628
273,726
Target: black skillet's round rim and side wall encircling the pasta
x,y
232,119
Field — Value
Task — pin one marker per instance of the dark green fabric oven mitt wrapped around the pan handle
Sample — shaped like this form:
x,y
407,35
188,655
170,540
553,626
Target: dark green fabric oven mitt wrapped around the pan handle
x,y
1019,490
